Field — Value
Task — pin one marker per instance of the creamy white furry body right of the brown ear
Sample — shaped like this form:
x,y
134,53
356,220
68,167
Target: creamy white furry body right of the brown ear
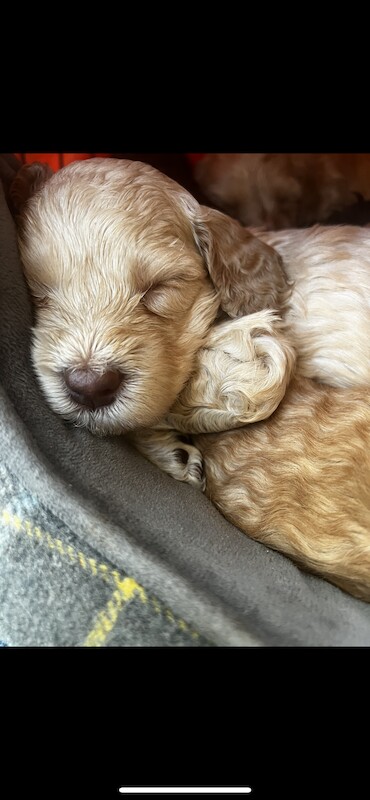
x,y
328,315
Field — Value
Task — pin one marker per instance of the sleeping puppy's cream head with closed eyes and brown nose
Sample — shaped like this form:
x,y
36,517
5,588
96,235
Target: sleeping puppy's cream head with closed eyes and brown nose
x,y
119,260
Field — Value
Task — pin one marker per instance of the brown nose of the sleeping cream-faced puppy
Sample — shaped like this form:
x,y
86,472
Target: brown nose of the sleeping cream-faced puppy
x,y
93,389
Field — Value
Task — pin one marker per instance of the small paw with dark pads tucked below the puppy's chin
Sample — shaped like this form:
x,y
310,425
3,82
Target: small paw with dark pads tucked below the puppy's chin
x,y
167,450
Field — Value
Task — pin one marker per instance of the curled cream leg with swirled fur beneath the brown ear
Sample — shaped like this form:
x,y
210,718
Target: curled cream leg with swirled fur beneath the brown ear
x,y
241,375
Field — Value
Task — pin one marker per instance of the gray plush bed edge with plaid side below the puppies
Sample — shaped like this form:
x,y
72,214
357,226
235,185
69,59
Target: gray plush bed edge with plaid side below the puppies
x,y
99,548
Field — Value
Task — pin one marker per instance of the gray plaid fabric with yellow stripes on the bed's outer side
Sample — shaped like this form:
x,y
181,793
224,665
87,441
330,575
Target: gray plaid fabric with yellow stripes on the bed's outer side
x,y
57,590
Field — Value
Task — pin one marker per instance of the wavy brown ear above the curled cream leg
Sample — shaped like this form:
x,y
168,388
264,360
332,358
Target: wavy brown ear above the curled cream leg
x,y
247,273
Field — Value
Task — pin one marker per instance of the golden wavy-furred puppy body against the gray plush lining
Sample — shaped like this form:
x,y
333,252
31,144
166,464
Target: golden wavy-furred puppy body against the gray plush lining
x,y
300,481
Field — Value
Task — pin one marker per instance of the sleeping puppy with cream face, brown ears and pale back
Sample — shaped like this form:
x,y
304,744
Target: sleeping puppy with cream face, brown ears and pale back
x,y
128,274
